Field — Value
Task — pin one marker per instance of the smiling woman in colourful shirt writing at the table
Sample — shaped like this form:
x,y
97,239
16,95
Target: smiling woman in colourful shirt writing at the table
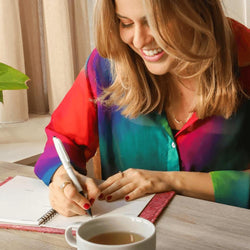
x,y
166,98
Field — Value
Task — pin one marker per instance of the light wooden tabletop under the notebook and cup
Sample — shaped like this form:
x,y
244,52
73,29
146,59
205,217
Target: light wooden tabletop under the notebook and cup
x,y
186,223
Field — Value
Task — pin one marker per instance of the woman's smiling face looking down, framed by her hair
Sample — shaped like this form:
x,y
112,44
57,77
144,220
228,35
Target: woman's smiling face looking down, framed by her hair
x,y
135,32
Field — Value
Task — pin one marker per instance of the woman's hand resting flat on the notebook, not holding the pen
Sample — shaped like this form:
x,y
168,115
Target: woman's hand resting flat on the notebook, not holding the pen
x,y
134,183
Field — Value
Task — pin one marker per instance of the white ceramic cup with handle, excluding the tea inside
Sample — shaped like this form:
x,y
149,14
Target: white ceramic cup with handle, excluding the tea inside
x,y
114,224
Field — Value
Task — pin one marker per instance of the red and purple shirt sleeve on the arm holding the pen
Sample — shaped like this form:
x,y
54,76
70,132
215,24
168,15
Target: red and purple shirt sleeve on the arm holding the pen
x,y
75,123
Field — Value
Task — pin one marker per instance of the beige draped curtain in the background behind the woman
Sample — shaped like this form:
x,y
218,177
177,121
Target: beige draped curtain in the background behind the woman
x,y
50,41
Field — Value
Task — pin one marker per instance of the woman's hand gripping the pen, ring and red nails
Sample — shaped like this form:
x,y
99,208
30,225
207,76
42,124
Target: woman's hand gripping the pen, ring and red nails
x,y
67,200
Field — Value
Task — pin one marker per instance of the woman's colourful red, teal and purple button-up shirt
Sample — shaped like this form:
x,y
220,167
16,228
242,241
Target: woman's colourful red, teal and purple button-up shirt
x,y
215,145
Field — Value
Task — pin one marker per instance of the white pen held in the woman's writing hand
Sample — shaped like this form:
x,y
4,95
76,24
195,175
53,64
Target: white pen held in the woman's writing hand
x,y
67,166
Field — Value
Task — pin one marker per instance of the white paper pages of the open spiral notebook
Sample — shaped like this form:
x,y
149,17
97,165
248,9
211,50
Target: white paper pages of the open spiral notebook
x,y
24,200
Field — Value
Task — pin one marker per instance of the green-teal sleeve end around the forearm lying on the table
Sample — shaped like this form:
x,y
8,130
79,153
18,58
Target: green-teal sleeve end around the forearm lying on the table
x,y
232,187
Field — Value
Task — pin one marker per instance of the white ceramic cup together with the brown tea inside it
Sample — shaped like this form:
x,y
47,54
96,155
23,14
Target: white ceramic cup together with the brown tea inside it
x,y
113,232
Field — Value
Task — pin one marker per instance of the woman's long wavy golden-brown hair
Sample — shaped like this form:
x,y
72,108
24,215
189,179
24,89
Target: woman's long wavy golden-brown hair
x,y
196,33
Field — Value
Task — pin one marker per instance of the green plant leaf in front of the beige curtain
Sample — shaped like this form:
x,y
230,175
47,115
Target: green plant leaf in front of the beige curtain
x,y
11,78
